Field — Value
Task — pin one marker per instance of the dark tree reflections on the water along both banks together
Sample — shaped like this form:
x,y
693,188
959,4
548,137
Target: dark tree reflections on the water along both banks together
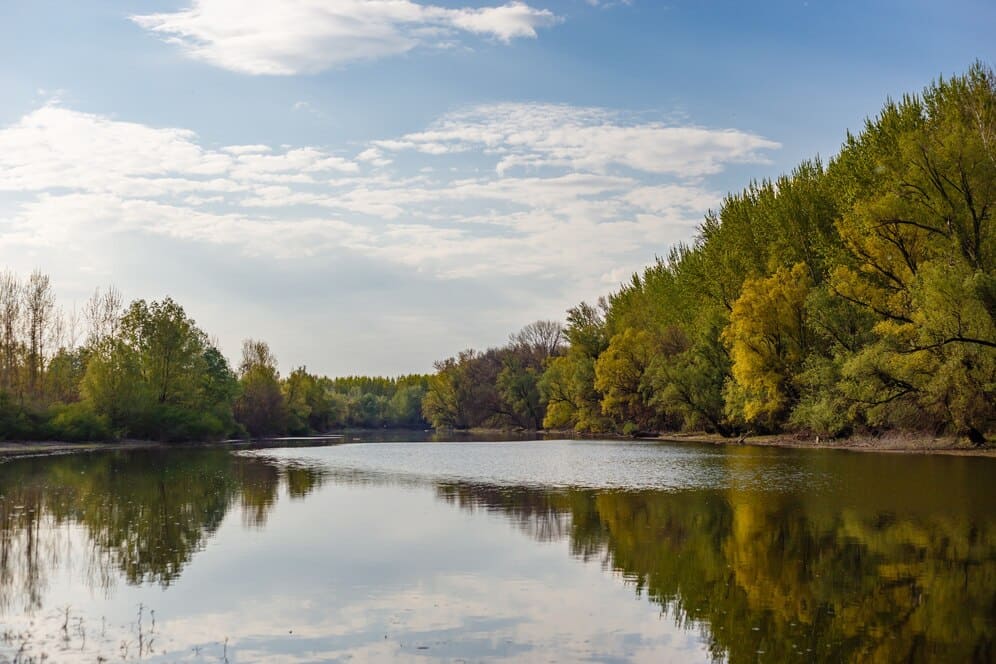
x,y
874,568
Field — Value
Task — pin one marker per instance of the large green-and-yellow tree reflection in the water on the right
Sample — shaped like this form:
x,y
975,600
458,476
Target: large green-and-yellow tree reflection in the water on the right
x,y
894,574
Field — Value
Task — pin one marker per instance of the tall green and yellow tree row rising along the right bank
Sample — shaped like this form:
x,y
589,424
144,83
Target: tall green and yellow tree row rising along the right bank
x,y
860,295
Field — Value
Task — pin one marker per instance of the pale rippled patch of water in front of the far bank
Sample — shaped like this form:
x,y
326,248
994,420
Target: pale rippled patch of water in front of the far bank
x,y
627,465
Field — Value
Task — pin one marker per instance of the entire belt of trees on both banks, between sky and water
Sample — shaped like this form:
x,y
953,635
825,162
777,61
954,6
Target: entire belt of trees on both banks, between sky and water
x,y
853,296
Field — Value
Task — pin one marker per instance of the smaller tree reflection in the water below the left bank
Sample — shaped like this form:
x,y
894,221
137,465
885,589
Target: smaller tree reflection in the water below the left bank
x,y
145,514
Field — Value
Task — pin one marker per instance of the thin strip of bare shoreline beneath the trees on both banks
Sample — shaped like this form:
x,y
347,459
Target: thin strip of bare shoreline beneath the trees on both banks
x,y
893,442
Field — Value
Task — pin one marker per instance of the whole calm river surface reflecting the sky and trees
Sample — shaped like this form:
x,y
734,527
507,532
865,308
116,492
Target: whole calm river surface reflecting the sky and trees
x,y
517,550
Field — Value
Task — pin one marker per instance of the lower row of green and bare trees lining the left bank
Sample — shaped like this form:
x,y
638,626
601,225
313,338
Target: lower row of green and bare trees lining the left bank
x,y
147,371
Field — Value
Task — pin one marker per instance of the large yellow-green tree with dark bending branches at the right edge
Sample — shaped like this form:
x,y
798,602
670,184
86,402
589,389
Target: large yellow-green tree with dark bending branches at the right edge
x,y
920,187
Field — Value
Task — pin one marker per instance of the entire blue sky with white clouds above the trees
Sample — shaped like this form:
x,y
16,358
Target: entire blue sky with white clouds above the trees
x,y
373,185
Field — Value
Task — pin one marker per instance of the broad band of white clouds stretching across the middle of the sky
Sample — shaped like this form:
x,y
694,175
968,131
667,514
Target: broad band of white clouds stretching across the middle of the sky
x,y
601,184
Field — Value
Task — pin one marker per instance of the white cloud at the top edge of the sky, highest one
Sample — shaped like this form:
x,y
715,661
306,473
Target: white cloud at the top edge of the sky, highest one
x,y
306,36
